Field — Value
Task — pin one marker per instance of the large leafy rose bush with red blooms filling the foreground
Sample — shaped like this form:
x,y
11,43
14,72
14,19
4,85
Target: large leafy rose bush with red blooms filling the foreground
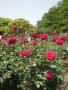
x,y
36,63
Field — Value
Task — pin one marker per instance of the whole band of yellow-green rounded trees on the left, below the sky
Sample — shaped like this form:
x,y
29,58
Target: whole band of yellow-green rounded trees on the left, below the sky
x,y
22,24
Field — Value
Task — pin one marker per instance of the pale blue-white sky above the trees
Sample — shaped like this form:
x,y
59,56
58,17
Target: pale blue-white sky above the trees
x,y
31,10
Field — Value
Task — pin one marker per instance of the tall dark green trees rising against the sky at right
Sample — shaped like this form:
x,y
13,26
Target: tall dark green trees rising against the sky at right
x,y
55,19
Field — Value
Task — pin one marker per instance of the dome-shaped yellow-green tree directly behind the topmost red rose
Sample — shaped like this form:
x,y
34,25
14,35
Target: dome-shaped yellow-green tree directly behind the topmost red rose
x,y
22,24
